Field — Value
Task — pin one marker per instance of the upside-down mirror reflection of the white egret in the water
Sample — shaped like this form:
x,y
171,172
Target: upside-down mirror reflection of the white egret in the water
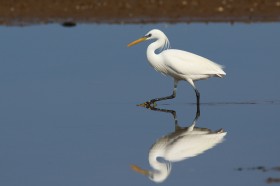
x,y
183,143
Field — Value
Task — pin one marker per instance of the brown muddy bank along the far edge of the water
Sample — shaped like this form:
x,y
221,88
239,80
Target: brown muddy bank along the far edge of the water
x,y
25,12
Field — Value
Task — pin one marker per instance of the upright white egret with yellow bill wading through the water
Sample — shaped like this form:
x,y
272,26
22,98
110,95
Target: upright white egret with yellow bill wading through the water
x,y
178,64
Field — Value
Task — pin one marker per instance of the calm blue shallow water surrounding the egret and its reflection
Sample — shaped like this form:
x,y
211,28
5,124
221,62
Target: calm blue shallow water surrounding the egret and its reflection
x,y
69,95
